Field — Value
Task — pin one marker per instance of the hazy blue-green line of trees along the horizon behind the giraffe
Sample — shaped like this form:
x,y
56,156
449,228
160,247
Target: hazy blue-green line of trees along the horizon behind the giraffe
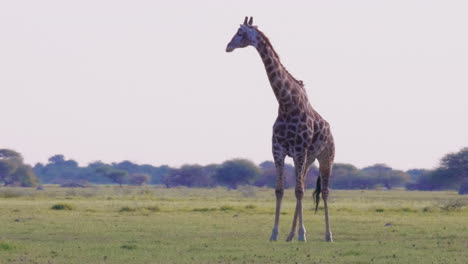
x,y
452,173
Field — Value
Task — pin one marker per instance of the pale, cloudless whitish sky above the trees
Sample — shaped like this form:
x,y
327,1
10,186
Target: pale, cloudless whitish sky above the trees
x,y
150,82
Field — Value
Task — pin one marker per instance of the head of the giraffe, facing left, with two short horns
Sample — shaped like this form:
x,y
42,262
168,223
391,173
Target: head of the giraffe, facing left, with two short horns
x,y
245,36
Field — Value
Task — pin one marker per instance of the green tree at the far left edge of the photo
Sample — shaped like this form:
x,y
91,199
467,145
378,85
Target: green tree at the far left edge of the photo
x,y
13,171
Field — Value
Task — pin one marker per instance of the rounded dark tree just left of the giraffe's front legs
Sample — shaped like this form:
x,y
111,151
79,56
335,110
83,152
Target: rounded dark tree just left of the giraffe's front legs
x,y
237,172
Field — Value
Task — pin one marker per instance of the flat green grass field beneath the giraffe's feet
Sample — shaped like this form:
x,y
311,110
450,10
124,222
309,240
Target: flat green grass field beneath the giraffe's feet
x,y
109,224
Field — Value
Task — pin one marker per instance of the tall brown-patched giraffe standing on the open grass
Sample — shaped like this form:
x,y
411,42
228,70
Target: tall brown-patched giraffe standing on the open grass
x,y
298,132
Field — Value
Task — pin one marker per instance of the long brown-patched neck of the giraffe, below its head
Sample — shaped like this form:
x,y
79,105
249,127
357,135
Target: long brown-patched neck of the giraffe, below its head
x,y
289,92
